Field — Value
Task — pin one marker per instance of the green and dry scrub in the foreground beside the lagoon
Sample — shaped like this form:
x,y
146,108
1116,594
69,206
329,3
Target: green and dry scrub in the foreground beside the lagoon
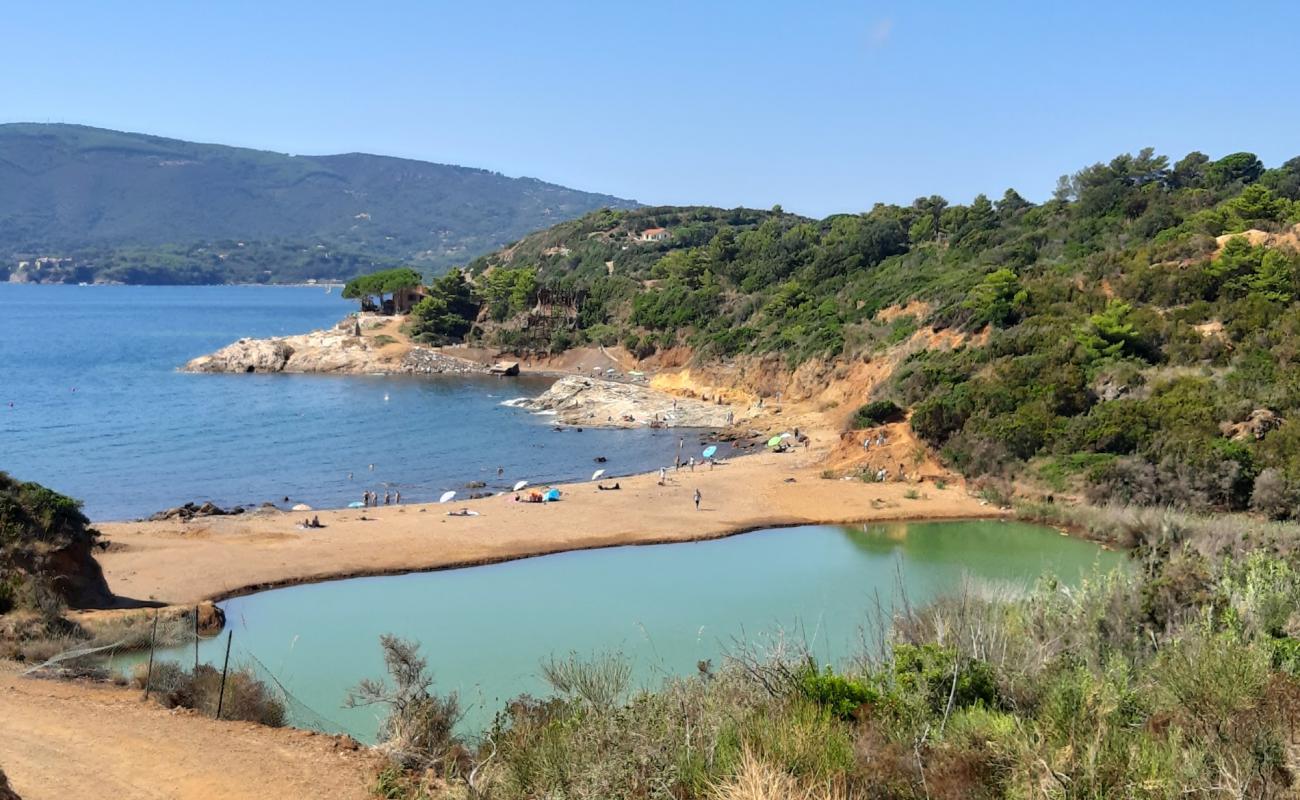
x,y
1172,680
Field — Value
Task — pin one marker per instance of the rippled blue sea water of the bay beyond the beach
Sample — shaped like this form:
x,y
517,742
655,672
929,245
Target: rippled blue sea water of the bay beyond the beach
x,y
93,407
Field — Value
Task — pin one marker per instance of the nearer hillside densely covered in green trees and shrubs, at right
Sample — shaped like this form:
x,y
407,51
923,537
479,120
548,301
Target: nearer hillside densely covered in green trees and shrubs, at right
x,y
1128,336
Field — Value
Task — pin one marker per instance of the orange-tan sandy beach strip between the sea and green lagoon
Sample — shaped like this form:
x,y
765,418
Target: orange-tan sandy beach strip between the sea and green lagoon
x,y
213,559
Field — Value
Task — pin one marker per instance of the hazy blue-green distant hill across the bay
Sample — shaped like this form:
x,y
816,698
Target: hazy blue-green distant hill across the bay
x,y
71,187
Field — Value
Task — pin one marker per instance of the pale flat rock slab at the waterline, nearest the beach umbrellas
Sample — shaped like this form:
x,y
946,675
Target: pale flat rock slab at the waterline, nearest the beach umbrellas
x,y
584,401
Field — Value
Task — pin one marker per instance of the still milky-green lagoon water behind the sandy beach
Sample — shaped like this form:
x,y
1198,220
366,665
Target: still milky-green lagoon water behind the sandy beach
x,y
487,629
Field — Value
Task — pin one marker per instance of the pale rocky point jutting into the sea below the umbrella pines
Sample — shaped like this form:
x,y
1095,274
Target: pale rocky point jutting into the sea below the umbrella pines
x,y
339,351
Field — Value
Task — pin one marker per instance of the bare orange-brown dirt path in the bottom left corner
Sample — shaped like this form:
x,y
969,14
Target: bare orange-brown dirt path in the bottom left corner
x,y
62,741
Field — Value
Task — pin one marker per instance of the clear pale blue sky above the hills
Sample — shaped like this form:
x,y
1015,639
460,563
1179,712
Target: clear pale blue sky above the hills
x,y
821,107
